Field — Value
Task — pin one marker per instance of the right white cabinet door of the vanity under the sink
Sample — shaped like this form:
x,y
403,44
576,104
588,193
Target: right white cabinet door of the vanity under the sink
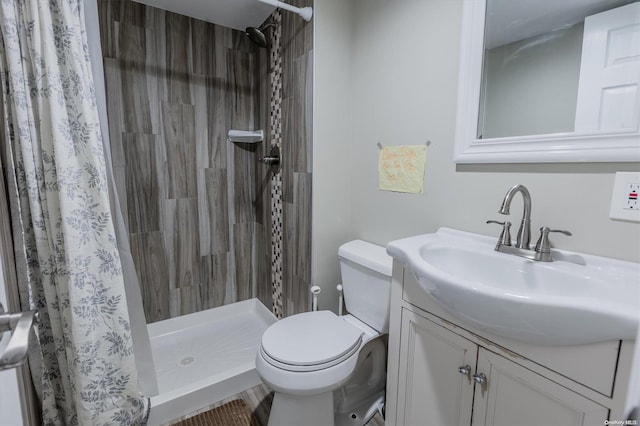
x,y
513,395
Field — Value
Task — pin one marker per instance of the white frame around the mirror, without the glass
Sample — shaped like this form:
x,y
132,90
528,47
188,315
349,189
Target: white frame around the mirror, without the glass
x,y
549,148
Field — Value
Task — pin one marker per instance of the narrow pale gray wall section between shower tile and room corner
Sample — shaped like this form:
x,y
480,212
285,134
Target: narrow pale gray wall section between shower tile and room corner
x,y
332,152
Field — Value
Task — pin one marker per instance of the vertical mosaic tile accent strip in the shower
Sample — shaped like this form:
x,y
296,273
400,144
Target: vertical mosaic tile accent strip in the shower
x,y
275,116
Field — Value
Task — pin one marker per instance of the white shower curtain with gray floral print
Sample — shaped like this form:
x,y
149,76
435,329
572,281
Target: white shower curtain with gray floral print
x,y
65,245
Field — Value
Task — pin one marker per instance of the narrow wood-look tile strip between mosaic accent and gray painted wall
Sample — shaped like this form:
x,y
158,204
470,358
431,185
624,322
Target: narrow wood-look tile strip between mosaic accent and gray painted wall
x,y
296,108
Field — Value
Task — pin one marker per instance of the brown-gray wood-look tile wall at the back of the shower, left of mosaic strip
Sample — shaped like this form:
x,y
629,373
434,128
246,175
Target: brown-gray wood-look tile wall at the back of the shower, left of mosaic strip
x,y
195,205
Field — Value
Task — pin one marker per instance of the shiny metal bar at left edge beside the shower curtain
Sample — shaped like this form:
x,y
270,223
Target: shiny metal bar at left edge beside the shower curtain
x,y
16,352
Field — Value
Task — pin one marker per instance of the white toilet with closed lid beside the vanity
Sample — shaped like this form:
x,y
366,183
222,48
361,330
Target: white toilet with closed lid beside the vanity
x,y
327,369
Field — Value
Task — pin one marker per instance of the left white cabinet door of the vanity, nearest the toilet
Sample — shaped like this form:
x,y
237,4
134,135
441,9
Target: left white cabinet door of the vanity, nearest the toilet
x,y
431,390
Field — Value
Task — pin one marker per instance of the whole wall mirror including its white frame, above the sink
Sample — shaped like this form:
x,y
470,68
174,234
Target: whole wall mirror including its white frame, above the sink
x,y
543,87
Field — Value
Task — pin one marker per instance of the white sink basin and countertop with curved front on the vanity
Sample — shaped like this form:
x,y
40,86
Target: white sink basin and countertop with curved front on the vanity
x,y
576,299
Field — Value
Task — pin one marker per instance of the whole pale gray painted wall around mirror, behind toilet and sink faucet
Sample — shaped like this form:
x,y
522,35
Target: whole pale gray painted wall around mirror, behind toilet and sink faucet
x,y
401,74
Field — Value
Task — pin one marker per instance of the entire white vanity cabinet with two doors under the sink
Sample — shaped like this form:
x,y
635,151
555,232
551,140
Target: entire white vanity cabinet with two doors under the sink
x,y
433,360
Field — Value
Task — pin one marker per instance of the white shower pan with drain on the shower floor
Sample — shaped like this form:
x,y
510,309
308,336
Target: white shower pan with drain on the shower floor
x,y
205,357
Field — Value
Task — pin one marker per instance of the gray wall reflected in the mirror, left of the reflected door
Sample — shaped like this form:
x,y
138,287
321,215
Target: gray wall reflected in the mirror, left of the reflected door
x,y
532,85
